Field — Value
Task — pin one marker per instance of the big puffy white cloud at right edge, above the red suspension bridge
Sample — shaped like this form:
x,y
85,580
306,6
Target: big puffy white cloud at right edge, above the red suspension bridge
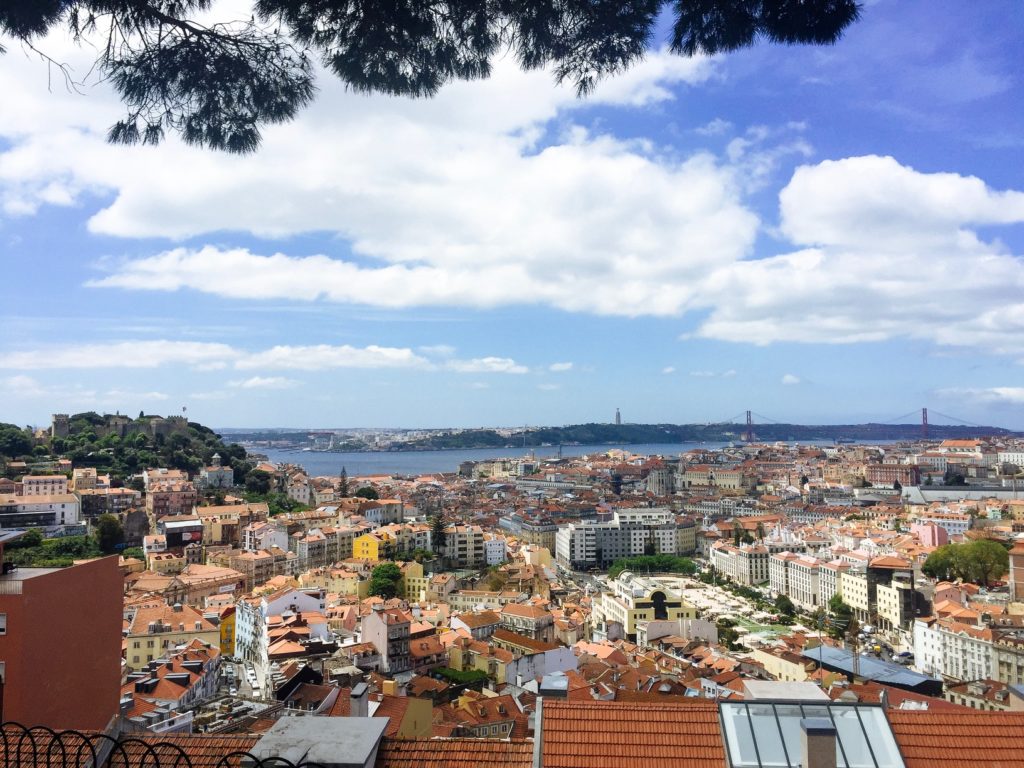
x,y
889,253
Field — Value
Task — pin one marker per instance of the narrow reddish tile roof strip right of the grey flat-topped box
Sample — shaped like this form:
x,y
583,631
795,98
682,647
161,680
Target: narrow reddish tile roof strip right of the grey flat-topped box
x,y
454,753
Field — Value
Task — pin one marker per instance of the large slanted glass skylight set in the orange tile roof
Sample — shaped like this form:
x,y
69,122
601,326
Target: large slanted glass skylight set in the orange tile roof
x,y
765,735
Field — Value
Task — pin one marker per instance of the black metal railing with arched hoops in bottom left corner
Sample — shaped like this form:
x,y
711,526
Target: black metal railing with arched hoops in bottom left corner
x,y
40,747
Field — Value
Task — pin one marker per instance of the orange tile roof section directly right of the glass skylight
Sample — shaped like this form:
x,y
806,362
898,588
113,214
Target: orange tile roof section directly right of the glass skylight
x,y
941,740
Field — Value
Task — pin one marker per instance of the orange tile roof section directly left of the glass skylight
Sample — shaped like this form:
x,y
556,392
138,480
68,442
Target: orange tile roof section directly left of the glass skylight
x,y
586,735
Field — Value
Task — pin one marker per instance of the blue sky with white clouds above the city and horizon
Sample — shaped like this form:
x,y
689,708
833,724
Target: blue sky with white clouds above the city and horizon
x,y
821,235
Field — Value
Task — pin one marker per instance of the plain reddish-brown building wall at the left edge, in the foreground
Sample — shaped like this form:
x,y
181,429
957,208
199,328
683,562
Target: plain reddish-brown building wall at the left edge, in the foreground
x,y
63,648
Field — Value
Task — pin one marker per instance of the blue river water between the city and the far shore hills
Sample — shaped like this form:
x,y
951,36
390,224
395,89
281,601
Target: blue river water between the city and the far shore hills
x,y
428,462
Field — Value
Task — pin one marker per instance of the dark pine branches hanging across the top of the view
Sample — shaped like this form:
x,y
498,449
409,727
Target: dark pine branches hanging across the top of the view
x,y
218,83
